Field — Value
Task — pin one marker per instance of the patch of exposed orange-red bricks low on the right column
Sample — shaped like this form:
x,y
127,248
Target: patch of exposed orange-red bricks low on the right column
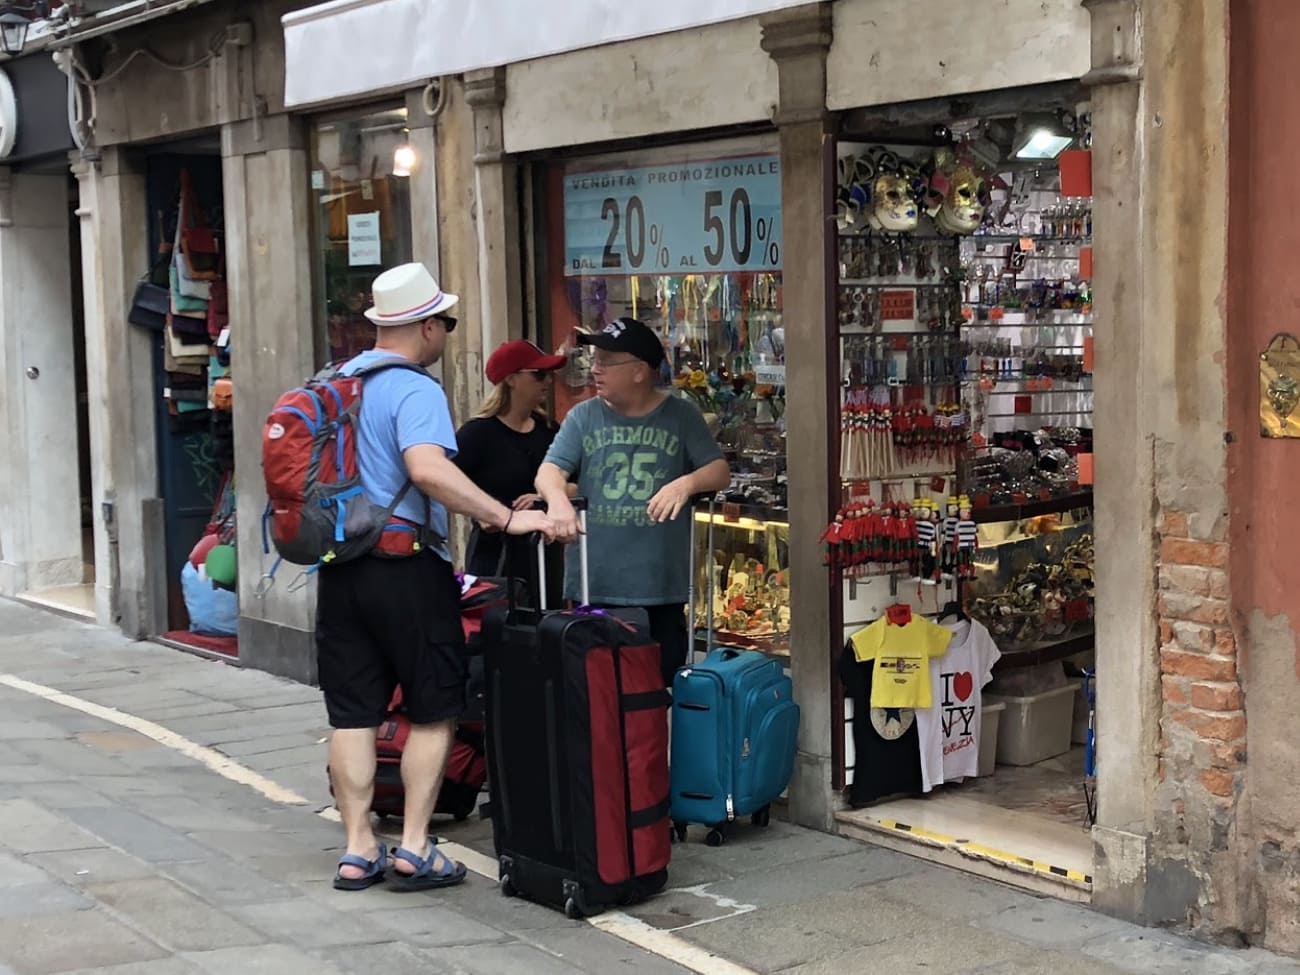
x,y
1203,721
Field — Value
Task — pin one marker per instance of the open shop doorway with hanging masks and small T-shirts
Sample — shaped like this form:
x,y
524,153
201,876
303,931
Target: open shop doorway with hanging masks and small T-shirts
x,y
964,317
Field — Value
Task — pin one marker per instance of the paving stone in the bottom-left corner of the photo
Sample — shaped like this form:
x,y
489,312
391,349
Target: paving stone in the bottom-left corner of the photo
x,y
62,943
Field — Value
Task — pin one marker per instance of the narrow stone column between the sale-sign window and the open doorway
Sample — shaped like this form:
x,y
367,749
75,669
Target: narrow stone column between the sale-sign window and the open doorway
x,y
799,41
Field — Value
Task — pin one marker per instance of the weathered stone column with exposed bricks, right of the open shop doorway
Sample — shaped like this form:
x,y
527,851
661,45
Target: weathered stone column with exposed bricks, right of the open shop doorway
x,y
1171,725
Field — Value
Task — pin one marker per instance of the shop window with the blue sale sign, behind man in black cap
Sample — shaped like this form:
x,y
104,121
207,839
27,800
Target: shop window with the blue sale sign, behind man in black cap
x,y
688,240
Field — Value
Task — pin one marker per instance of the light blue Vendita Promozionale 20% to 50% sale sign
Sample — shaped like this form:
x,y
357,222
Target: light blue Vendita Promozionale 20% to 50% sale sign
x,y
707,216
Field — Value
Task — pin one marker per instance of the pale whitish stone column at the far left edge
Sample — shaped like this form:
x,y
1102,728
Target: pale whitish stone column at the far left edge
x,y
41,539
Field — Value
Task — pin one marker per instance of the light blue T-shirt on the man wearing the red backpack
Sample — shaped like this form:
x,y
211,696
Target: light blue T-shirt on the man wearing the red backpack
x,y
401,410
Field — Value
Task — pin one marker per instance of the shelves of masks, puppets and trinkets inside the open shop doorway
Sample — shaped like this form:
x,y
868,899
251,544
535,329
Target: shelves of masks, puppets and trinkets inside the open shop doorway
x,y
965,333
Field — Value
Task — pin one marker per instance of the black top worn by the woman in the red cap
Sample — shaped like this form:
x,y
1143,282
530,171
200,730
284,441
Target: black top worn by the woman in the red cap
x,y
504,463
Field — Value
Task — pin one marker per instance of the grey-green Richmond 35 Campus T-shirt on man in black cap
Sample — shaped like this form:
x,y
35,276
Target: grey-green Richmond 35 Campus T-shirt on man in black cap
x,y
622,462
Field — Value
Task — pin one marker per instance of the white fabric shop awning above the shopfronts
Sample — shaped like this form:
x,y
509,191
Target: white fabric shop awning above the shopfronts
x,y
346,49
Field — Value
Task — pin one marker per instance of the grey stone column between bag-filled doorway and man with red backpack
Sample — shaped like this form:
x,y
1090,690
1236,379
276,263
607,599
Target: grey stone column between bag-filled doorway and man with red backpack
x,y
272,349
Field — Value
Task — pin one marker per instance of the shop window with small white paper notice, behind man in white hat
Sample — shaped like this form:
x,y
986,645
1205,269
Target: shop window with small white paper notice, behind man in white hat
x,y
362,223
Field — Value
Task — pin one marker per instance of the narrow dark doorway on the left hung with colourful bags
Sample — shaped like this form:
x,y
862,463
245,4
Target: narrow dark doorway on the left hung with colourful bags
x,y
193,397
